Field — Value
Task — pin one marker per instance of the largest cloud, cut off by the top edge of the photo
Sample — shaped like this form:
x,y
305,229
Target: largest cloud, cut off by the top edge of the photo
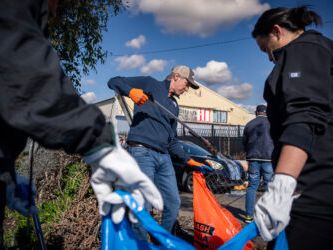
x,y
198,17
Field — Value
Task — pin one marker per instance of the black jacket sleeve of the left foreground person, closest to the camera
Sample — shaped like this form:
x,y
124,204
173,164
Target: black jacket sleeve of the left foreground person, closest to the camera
x,y
36,98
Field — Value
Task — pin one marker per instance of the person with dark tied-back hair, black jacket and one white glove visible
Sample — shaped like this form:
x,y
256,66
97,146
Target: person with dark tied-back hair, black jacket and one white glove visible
x,y
299,96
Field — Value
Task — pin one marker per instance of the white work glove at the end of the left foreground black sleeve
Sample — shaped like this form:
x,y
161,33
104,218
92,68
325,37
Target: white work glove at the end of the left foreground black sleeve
x,y
115,167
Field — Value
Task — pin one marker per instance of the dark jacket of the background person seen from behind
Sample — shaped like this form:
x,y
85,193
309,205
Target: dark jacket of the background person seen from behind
x,y
257,141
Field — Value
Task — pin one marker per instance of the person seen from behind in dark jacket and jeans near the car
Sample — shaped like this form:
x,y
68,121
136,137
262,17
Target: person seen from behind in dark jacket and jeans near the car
x,y
258,146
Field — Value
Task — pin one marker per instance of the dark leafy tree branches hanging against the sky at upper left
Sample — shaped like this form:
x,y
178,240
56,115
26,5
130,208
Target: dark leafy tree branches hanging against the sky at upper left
x,y
76,34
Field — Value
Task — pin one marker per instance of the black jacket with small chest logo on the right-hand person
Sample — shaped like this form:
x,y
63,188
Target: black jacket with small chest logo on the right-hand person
x,y
299,94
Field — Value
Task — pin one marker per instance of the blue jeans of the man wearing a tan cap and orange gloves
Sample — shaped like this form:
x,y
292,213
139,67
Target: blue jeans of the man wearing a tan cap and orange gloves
x,y
158,167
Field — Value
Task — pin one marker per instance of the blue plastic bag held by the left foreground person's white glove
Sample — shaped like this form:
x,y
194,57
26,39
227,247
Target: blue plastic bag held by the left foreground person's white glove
x,y
122,237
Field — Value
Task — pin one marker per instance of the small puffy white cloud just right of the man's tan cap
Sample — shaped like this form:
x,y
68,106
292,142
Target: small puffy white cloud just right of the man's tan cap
x,y
214,72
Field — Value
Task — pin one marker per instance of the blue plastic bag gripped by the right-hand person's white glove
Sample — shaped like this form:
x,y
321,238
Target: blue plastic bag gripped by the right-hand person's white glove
x,y
248,233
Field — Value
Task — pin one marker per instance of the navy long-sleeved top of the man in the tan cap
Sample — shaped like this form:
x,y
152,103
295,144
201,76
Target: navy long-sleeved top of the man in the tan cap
x,y
151,125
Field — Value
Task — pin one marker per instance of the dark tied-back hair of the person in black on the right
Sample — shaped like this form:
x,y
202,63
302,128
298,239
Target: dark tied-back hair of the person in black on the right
x,y
292,19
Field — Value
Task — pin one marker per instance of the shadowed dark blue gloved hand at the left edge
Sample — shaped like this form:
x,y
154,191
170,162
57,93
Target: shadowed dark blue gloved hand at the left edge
x,y
17,194
